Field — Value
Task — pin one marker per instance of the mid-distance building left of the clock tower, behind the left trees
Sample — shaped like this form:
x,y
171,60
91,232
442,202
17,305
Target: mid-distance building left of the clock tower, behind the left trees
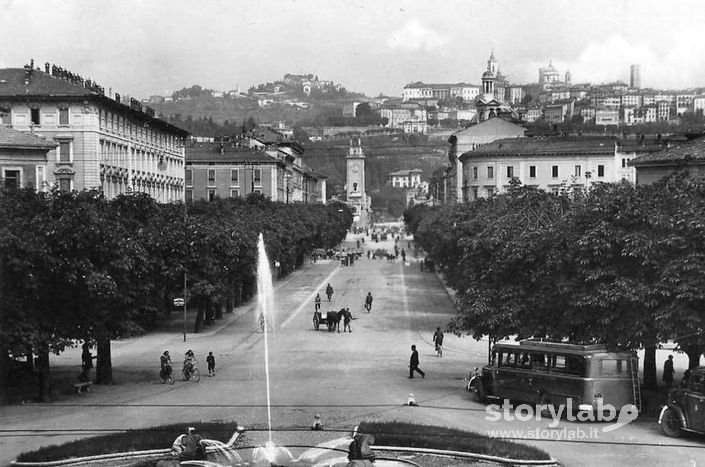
x,y
234,168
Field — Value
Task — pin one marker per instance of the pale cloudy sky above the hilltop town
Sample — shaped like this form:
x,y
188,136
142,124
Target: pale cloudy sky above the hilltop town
x,y
143,47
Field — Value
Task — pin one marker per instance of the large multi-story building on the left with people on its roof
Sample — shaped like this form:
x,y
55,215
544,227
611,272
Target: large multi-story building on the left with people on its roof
x,y
101,142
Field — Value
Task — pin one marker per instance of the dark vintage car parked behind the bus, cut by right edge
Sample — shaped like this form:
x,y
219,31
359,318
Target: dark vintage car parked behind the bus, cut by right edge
x,y
685,407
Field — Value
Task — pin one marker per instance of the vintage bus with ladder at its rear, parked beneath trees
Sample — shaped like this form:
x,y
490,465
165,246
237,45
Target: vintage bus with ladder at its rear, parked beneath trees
x,y
551,373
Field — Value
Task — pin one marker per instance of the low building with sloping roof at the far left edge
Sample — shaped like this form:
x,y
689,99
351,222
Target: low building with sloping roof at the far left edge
x,y
23,159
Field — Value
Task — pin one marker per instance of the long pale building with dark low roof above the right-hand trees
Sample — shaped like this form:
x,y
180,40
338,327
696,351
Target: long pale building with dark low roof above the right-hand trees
x,y
550,164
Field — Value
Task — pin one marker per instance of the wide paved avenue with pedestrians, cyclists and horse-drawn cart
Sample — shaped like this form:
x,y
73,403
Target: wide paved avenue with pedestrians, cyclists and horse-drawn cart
x,y
344,377
